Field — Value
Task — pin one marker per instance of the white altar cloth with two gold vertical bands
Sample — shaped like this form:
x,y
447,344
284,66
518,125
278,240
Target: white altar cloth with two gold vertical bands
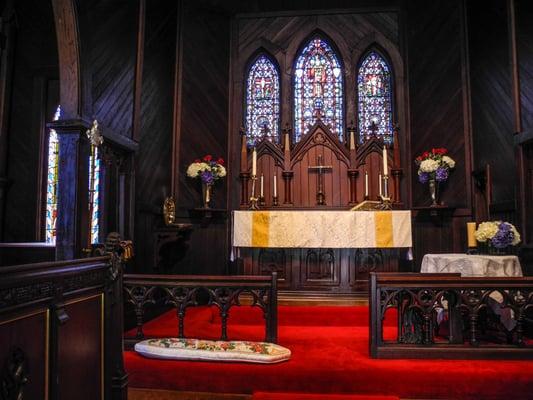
x,y
322,229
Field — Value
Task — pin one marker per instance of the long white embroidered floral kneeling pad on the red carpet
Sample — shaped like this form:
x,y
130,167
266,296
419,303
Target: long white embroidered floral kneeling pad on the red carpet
x,y
210,350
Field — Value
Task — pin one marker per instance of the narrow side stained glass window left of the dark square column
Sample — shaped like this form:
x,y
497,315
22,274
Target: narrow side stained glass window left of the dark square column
x,y
51,183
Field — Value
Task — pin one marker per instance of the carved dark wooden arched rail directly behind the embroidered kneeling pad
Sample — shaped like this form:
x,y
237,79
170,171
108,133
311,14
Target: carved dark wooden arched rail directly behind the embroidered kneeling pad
x,y
184,291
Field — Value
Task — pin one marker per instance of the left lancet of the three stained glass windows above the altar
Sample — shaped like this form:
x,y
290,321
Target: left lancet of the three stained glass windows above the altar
x,y
262,101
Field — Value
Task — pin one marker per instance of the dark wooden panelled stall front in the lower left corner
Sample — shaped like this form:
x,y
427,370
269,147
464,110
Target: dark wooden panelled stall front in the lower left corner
x,y
55,316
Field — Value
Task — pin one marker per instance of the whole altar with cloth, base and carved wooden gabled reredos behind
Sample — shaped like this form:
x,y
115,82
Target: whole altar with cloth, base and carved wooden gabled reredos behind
x,y
295,214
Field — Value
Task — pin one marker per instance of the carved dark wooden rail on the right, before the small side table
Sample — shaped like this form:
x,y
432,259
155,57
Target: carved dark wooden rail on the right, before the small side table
x,y
469,307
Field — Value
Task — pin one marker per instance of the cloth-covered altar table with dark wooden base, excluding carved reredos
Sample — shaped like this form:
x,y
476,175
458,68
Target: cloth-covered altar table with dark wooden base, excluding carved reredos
x,y
325,251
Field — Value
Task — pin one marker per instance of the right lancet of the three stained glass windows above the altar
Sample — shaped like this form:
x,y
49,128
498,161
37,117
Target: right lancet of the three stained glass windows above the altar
x,y
374,87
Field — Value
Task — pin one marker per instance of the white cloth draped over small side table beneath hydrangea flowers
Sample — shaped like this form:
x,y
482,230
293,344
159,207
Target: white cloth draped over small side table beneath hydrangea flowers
x,y
472,265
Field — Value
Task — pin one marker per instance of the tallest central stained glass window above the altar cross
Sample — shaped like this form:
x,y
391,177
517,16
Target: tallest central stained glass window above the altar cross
x,y
318,89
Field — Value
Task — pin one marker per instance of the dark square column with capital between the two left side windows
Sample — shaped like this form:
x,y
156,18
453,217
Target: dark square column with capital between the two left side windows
x,y
72,222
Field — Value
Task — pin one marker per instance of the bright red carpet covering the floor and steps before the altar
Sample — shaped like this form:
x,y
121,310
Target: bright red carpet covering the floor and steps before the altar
x,y
329,355
